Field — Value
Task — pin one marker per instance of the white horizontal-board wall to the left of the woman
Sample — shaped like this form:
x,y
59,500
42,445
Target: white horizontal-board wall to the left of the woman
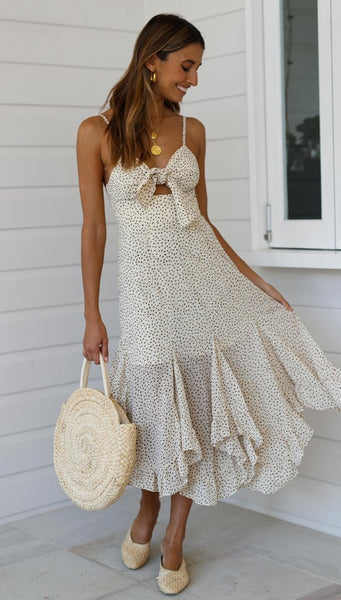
x,y
58,62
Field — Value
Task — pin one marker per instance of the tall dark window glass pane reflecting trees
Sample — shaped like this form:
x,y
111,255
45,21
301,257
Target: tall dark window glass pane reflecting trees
x,y
301,101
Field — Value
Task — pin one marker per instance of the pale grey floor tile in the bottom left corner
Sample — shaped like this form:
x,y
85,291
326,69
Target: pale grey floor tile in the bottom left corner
x,y
59,576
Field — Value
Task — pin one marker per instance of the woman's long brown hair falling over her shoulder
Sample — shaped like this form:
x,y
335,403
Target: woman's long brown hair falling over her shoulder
x,y
132,97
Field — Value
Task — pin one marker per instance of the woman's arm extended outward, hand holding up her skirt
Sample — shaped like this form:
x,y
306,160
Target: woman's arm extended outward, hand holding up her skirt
x,y
202,201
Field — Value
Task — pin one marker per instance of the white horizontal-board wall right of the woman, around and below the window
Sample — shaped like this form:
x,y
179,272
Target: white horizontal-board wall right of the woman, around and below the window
x,y
313,498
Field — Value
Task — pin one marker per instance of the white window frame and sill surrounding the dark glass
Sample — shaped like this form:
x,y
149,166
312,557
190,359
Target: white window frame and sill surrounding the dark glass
x,y
310,243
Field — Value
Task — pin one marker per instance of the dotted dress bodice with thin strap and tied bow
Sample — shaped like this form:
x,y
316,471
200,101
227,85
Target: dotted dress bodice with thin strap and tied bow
x,y
181,175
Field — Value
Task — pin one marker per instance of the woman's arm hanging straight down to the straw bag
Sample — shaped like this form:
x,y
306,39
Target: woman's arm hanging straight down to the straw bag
x,y
90,175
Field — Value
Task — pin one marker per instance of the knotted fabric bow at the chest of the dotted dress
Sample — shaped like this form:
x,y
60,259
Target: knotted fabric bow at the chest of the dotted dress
x,y
185,200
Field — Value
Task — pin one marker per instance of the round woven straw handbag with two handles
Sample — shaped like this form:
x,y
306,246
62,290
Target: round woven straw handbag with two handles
x,y
94,445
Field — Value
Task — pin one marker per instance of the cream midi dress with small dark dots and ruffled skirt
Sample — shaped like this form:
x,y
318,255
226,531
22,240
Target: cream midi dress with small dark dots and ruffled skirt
x,y
214,372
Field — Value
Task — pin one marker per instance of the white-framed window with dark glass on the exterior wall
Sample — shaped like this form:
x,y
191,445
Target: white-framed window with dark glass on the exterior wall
x,y
293,49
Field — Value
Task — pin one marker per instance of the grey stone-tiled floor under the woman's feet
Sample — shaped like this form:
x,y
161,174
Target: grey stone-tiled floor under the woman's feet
x,y
231,553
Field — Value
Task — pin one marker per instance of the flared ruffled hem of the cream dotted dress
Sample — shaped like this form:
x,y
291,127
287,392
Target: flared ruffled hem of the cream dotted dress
x,y
244,446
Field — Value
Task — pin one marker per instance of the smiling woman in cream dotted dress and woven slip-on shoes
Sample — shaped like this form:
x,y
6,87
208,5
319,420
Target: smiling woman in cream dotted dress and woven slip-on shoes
x,y
213,364
